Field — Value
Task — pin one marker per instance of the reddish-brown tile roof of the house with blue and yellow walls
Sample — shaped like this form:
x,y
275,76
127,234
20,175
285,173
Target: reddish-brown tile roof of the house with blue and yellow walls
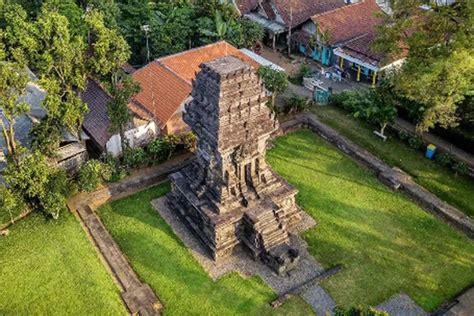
x,y
349,22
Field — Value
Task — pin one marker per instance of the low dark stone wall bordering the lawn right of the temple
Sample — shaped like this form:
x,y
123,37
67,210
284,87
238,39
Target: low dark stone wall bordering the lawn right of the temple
x,y
394,178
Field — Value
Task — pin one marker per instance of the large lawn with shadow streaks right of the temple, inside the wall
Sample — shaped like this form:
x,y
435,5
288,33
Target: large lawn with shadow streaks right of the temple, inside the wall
x,y
386,243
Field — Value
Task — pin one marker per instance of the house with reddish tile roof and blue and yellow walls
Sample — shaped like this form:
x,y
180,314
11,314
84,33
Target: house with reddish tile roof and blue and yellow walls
x,y
343,37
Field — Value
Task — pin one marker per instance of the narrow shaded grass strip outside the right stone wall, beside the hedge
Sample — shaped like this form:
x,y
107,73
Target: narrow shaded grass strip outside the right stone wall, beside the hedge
x,y
456,190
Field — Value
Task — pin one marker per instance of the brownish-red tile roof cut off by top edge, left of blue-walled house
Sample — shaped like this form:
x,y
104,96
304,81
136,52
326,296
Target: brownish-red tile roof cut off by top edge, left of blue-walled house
x,y
302,10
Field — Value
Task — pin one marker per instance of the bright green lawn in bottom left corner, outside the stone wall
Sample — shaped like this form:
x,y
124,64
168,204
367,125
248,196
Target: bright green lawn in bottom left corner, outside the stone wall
x,y
51,268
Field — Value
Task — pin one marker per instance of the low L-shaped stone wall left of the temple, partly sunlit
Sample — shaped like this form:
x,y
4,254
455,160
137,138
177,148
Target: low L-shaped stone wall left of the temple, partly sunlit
x,y
138,297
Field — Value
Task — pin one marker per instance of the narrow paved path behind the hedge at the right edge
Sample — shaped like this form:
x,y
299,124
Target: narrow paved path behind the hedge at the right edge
x,y
444,145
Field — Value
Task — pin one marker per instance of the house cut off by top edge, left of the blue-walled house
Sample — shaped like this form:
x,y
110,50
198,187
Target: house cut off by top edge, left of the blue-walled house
x,y
280,17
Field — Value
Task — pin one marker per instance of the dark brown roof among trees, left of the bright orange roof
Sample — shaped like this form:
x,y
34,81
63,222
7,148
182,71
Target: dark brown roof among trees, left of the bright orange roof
x,y
96,121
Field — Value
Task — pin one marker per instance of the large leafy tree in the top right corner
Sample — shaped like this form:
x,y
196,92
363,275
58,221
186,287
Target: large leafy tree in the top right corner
x,y
438,72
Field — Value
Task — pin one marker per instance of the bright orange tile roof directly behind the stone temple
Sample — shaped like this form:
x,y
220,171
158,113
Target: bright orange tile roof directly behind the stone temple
x,y
166,82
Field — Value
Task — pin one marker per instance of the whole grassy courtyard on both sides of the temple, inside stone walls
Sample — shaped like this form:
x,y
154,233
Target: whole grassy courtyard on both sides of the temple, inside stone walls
x,y
385,243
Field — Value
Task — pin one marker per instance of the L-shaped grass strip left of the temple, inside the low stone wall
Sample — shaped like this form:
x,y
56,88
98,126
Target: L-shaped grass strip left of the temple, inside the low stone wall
x,y
162,261
